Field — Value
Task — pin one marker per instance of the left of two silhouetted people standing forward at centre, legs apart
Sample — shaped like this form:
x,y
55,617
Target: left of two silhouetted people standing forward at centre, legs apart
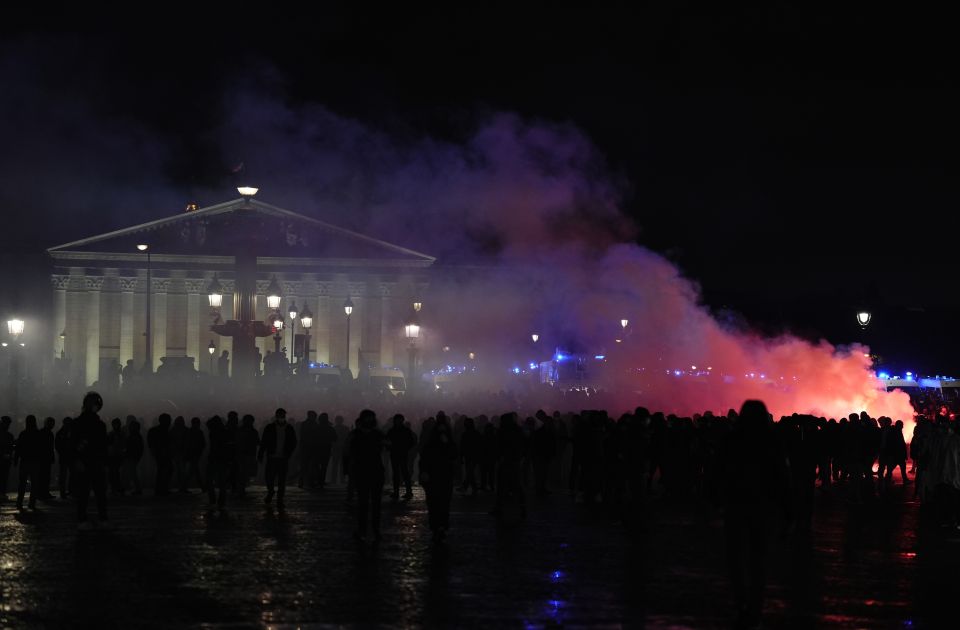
x,y
366,470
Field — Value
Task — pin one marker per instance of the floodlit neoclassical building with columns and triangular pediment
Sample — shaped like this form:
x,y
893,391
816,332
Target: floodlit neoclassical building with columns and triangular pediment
x,y
100,288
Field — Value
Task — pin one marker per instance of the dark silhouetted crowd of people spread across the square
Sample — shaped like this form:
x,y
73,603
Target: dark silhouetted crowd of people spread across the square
x,y
756,470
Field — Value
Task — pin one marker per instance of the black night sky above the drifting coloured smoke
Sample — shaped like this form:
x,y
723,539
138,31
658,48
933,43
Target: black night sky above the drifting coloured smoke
x,y
797,164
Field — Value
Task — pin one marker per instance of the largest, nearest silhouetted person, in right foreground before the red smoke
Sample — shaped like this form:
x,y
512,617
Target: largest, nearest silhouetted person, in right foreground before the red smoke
x,y
754,487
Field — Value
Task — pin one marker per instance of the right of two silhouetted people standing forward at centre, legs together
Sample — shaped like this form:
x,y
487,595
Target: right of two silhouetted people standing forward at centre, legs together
x,y
438,464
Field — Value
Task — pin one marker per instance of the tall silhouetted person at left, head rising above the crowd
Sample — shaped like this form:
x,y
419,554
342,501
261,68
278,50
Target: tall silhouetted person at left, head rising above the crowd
x,y
89,435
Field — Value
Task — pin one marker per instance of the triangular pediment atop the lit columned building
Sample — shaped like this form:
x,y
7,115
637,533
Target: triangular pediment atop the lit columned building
x,y
226,228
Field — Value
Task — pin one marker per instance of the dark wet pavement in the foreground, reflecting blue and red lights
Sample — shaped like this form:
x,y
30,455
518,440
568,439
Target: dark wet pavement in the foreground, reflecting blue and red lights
x,y
168,563
